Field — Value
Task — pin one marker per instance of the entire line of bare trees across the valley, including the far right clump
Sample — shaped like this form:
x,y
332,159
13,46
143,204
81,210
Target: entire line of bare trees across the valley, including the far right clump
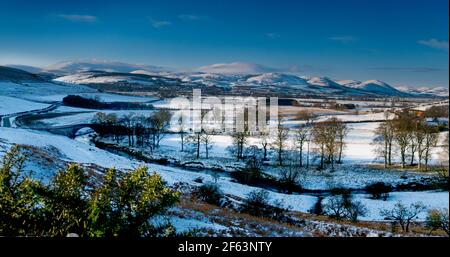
x,y
407,136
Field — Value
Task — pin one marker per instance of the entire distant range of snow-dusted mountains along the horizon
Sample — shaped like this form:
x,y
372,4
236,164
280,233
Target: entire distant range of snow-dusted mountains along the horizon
x,y
233,78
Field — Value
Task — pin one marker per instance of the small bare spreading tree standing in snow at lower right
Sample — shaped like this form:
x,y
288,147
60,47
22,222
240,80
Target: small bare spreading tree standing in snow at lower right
x,y
402,214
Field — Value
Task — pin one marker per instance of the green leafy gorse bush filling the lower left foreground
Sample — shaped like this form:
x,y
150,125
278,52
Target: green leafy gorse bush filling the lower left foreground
x,y
117,204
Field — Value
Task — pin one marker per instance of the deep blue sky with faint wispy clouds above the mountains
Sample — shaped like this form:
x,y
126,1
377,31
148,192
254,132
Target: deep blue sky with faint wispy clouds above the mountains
x,y
397,41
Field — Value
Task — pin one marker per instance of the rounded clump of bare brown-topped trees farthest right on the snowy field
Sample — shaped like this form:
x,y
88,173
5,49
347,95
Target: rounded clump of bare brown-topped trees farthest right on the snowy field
x,y
407,136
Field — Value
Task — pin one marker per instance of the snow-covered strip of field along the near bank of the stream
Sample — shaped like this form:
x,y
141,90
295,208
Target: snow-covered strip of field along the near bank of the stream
x,y
77,151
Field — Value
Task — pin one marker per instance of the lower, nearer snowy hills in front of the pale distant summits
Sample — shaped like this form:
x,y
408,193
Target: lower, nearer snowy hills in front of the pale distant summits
x,y
273,81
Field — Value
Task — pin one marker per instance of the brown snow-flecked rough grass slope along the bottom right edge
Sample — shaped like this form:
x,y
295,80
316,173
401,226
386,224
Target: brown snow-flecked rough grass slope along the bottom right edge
x,y
242,224
